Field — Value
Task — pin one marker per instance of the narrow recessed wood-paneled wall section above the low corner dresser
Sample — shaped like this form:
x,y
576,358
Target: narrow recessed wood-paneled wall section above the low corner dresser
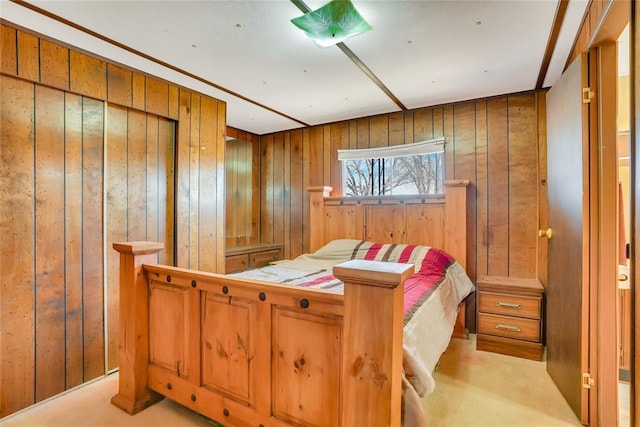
x,y
242,163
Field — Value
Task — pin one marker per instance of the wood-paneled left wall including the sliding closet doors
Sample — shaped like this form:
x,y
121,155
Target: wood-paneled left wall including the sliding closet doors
x,y
81,137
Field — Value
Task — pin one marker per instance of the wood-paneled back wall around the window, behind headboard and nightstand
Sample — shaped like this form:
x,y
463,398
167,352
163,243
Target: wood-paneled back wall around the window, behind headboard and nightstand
x,y
497,143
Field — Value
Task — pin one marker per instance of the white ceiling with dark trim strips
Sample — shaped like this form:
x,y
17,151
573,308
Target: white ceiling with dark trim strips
x,y
273,78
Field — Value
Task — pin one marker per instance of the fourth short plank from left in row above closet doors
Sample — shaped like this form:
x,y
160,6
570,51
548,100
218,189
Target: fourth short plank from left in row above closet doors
x,y
87,75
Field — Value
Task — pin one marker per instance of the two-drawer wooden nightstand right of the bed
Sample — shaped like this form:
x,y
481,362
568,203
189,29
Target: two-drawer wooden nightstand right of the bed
x,y
510,316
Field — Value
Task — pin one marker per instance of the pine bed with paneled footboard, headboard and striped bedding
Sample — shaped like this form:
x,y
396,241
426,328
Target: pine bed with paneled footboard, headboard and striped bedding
x,y
334,350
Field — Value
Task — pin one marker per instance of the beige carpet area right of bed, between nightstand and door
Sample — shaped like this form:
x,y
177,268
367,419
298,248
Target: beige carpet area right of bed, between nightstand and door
x,y
478,388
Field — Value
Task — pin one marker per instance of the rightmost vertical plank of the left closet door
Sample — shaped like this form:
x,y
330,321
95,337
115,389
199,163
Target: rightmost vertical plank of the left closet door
x,y
92,237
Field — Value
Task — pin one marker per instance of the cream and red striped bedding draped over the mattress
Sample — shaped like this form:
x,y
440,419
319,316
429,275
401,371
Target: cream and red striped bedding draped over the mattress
x,y
432,294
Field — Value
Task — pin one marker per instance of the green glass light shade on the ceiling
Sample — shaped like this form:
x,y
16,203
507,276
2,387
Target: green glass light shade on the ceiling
x,y
333,23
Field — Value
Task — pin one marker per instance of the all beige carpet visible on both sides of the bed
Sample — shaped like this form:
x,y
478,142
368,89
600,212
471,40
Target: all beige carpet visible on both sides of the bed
x,y
473,388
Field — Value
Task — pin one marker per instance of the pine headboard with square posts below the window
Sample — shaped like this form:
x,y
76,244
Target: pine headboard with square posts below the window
x,y
439,222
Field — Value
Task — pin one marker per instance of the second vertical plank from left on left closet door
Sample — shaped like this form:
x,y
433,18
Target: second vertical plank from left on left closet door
x,y
49,242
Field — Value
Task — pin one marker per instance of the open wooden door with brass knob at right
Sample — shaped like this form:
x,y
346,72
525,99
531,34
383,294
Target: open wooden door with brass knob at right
x,y
567,290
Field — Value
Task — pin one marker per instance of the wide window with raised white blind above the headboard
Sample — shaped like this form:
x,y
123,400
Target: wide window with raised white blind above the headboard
x,y
416,168
